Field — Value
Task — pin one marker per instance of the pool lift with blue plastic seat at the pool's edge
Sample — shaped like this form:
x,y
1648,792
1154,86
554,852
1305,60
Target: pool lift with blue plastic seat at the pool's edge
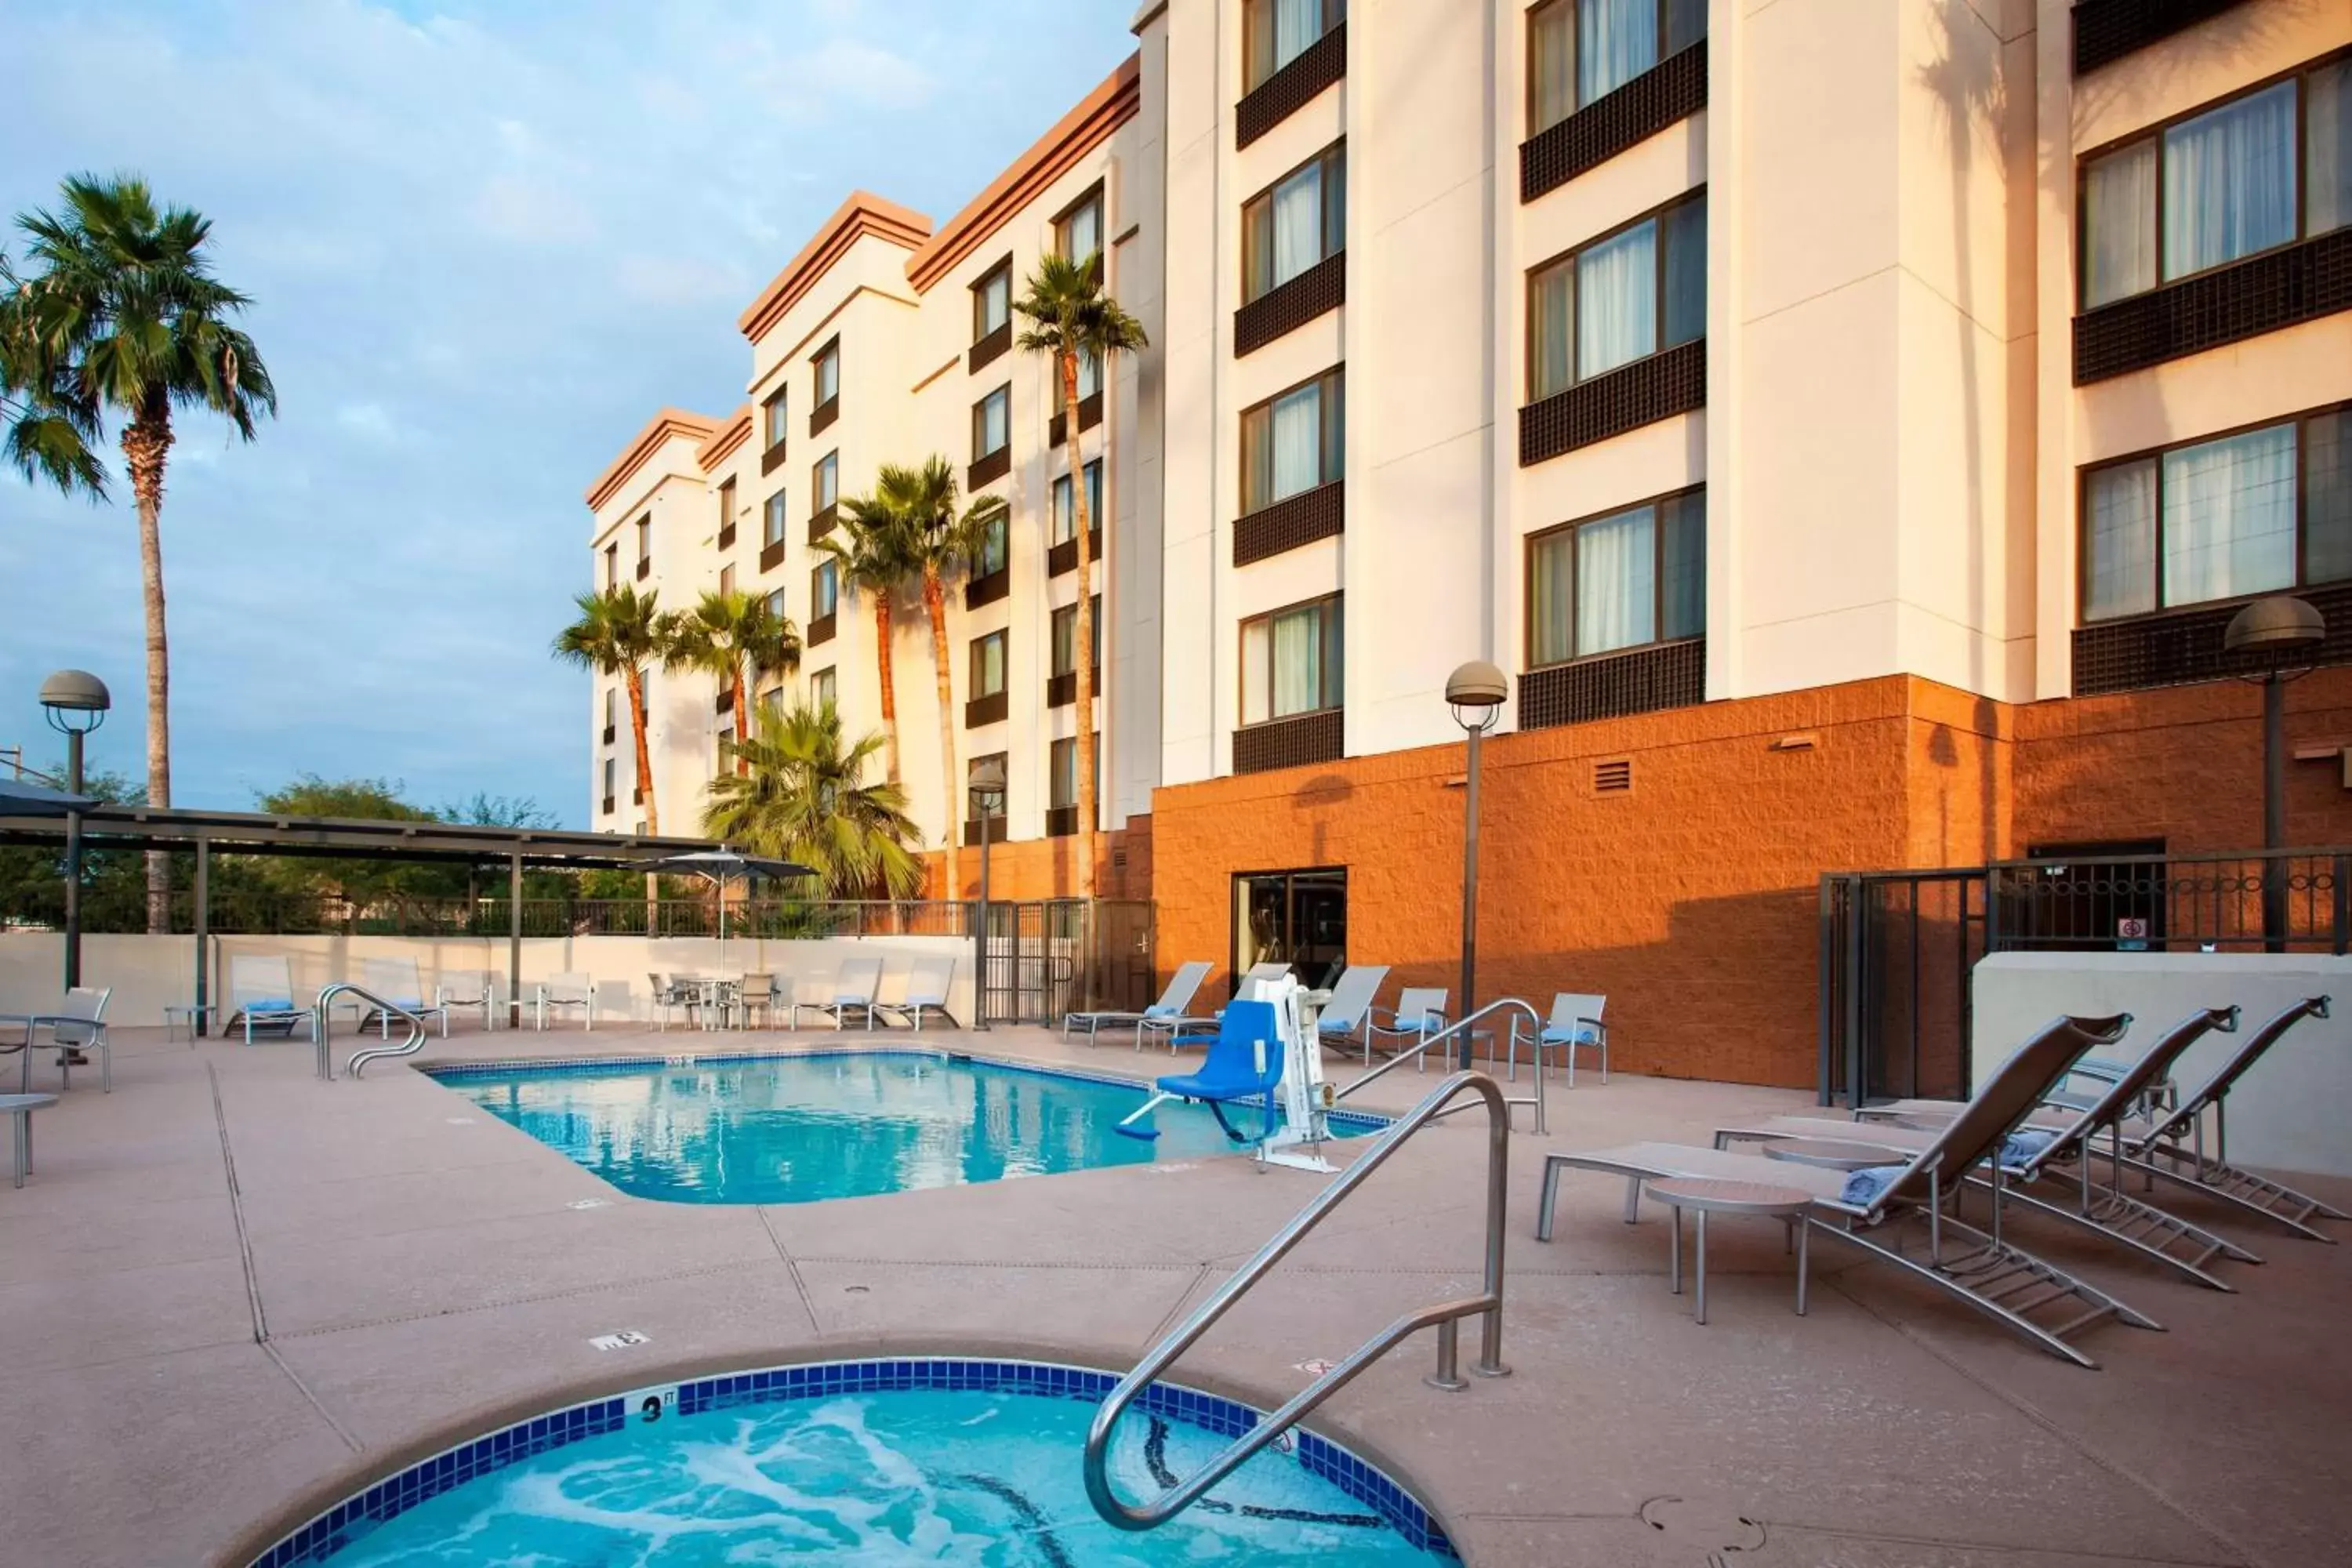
x,y
1264,1052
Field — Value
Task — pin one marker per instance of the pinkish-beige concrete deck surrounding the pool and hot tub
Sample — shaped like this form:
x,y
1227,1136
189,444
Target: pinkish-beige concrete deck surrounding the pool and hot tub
x,y
234,1292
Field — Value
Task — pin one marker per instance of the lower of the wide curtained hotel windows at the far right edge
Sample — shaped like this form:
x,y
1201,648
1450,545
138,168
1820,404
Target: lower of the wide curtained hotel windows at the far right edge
x,y
2214,521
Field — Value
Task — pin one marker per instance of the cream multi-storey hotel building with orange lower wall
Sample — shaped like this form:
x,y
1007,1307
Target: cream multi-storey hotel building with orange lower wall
x,y
1850,424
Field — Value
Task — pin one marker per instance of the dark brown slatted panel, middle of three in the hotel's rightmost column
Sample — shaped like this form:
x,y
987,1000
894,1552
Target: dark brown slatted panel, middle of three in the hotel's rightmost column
x,y
2294,283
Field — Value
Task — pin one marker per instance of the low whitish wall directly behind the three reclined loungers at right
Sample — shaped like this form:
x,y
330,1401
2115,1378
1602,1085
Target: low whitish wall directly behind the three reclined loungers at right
x,y
2287,1113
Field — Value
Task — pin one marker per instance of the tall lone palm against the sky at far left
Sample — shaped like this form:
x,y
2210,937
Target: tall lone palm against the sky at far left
x,y
126,316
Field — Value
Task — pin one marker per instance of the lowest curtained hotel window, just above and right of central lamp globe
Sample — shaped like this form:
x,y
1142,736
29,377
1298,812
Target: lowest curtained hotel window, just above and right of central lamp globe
x,y
1619,582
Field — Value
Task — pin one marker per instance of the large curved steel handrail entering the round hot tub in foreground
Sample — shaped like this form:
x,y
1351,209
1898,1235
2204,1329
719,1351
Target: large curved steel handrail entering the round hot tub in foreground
x,y
1443,1315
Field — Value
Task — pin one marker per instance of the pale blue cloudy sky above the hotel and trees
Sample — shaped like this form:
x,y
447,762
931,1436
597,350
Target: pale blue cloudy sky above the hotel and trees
x,y
483,243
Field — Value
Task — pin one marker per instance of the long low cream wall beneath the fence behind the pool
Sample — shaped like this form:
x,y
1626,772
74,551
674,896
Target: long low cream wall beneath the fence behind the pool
x,y
156,972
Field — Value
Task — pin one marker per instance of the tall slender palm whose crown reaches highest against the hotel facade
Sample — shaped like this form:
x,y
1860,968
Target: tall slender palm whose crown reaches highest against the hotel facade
x,y
1071,319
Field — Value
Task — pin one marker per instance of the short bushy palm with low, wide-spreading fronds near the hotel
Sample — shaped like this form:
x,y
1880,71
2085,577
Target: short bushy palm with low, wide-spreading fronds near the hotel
x,y
806,798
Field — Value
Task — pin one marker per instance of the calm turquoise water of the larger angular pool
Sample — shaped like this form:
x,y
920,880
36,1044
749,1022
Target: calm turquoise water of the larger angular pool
x,y
801,1130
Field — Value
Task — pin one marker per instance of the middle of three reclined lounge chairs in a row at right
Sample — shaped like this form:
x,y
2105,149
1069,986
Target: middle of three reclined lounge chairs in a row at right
x,y
2045,1144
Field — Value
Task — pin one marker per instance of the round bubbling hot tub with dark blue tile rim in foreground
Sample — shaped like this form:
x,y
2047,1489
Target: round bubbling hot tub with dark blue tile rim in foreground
x,y
878,1463
